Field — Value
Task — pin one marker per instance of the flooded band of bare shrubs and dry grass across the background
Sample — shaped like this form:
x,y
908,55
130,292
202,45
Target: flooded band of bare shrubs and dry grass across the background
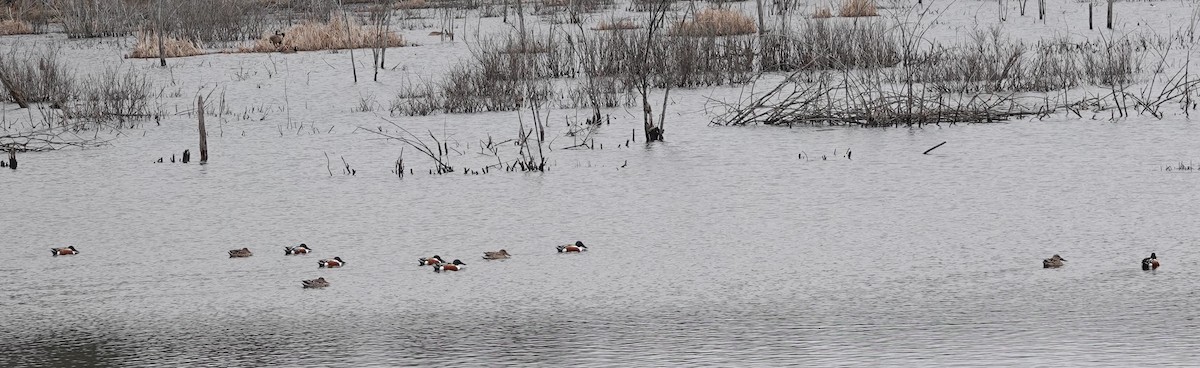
x,y
854,63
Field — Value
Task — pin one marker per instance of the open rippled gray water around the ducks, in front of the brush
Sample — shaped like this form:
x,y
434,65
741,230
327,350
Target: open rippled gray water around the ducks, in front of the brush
x,y
718,248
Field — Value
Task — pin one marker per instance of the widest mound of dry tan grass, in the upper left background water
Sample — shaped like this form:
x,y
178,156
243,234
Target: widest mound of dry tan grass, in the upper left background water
x,y
325,37
